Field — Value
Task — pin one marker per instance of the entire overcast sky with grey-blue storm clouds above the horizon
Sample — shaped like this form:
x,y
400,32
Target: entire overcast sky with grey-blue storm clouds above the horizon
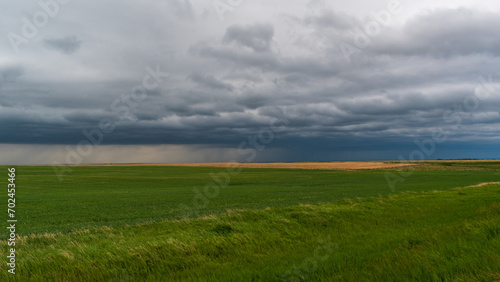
x,y
281,80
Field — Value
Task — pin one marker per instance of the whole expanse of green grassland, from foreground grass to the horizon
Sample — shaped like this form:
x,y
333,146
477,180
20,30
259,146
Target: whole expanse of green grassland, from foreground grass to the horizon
x,y
159,224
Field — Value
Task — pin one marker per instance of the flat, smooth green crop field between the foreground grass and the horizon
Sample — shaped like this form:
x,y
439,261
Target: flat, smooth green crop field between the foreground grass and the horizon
x,y
115,196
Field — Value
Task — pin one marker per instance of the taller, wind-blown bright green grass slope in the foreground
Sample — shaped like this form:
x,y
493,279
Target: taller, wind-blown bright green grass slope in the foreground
x,y
426,236
